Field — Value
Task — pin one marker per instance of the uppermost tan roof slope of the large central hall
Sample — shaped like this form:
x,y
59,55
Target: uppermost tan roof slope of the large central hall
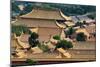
x,y
44,14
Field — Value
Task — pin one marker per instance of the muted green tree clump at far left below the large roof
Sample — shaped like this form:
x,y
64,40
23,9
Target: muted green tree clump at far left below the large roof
x,y
18,29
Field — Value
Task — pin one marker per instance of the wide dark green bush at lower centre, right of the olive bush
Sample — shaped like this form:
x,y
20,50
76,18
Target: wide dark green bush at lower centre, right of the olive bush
x,y
64,44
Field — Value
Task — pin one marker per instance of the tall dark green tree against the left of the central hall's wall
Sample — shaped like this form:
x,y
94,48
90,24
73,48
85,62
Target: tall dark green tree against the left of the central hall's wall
x,y
33,39
